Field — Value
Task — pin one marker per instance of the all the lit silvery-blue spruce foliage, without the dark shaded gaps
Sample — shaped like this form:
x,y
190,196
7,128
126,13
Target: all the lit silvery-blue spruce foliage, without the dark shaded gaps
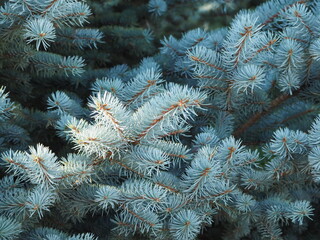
x,y
234,146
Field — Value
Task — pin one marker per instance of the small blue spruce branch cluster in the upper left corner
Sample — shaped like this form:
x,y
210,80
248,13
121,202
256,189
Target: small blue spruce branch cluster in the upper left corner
x,y
39,24
